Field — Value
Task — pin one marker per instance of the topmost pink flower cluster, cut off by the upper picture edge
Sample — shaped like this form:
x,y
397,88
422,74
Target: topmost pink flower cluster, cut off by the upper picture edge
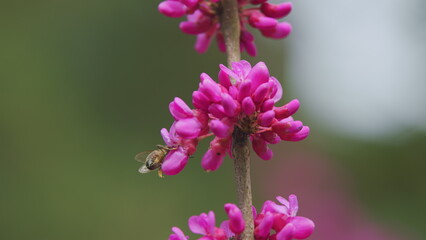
x,y
203,21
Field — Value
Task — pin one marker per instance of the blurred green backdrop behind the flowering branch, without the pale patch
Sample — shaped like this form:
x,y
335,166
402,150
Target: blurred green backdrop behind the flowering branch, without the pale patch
x,y
85,85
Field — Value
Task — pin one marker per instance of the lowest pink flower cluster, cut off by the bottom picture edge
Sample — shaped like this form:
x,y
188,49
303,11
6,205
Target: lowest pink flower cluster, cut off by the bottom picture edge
x,y
280,219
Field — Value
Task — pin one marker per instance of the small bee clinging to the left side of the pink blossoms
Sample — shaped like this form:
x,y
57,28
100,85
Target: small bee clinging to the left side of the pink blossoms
x,y
153,159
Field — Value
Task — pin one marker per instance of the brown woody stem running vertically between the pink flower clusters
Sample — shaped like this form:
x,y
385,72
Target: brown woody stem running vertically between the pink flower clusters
x,y
230,26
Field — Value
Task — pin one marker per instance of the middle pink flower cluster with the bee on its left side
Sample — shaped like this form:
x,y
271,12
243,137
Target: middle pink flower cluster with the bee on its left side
x,y
248,104
